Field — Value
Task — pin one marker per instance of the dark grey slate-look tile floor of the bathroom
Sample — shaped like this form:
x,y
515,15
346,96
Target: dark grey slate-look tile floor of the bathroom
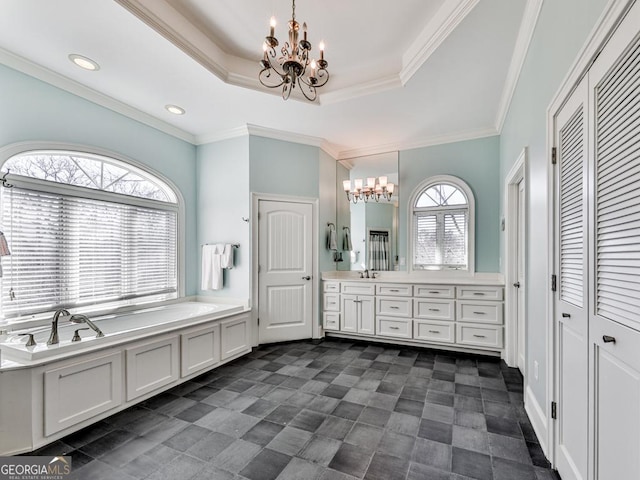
x,y
338,410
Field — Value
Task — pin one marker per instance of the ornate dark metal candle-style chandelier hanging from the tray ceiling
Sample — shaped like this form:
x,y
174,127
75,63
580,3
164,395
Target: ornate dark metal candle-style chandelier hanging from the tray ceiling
x,y
294,65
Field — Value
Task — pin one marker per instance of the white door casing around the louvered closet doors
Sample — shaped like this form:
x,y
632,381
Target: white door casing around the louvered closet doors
x,y
612,15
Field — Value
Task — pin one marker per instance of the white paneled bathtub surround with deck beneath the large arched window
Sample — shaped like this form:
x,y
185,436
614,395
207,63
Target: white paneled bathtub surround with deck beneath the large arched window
x,y
52,390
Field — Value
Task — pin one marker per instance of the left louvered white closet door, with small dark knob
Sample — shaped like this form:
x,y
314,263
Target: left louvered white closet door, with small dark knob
x,y
571,319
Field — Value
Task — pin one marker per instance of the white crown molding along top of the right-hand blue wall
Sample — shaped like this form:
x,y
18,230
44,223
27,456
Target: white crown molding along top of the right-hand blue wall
x,y
525,35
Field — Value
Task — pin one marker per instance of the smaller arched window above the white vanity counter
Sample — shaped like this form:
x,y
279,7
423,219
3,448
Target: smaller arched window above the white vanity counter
x,y
442,225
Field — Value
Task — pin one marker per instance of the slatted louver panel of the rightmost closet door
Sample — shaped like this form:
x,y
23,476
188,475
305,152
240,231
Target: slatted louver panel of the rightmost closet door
x,y
617,194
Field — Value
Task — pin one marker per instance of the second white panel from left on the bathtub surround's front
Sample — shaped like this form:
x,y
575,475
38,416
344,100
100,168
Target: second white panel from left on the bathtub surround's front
x,y
151,365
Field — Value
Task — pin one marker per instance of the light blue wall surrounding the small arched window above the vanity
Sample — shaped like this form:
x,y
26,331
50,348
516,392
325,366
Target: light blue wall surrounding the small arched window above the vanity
x,y
477,162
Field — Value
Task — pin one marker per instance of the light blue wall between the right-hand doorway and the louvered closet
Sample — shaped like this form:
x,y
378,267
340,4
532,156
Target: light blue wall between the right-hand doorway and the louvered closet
x,y
561,31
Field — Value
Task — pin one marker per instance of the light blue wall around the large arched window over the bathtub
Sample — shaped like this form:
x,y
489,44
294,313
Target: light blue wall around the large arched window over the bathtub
x,y
32,110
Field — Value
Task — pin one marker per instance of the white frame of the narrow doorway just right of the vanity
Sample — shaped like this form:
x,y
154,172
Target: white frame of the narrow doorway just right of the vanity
x,y
516,175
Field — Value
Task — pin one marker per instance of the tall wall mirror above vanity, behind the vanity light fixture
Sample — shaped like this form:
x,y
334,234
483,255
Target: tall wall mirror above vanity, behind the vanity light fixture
x,y
367,231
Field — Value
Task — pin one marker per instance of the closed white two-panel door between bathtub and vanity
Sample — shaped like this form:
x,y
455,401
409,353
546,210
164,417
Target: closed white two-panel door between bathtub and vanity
x,y
285,267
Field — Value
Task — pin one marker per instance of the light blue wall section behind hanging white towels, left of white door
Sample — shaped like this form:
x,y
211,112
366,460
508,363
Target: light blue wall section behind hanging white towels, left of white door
x,y
223,199
